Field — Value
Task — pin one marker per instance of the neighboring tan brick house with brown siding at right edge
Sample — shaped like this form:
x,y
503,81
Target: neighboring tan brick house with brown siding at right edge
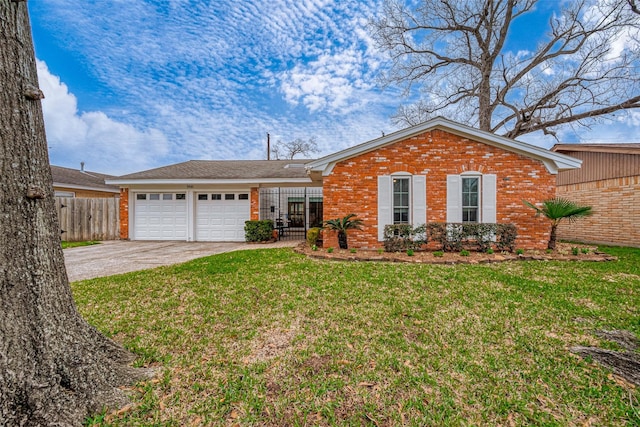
x,y
609,182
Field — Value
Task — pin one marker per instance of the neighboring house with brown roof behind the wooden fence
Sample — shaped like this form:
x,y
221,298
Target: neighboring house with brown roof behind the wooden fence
x,y
80,183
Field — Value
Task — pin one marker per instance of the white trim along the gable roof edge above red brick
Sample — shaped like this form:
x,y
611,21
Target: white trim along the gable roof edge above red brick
x,y
553,161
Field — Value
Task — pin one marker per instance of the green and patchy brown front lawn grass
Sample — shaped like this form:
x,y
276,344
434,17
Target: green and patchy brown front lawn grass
x,y
269,337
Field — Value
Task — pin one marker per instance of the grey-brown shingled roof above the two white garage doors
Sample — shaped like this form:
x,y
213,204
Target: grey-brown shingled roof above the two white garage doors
x,y
215,170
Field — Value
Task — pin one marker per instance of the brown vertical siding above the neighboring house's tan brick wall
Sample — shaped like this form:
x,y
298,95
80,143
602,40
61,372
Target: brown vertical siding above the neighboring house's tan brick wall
x,y
599,166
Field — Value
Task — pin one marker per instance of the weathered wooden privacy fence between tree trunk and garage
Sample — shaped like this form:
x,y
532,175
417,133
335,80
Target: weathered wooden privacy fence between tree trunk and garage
x,y
88,218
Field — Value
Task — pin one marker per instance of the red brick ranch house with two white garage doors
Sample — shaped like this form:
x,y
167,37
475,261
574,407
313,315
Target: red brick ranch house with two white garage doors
x,y
415,175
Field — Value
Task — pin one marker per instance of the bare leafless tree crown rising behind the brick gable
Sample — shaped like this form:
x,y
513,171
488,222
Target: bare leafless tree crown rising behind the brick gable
x,y
586,66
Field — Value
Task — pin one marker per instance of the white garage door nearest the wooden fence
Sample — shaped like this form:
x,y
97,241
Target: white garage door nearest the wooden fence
x,y
160,216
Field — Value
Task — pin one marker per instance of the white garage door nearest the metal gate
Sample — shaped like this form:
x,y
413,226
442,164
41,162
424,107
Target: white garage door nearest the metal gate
x,y
220,217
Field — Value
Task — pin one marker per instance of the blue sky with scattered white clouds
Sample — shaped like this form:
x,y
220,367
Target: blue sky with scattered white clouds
x,y
132,85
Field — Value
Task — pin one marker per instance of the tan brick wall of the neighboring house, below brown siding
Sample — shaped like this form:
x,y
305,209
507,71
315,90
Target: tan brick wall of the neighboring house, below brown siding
x,y
616,212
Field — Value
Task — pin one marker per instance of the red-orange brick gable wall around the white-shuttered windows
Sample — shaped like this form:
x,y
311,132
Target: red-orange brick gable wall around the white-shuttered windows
x,y
352,186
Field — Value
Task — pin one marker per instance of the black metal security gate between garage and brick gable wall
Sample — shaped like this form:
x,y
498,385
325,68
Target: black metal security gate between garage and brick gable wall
x,y
293,210
